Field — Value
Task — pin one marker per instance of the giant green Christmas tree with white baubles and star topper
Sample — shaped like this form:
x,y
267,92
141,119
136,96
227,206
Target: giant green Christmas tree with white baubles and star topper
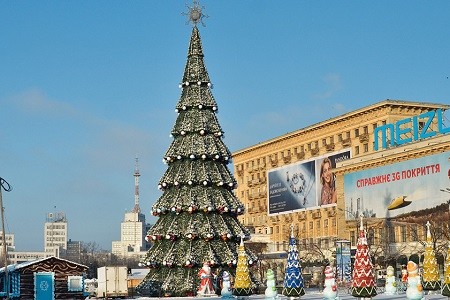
x,y
197,212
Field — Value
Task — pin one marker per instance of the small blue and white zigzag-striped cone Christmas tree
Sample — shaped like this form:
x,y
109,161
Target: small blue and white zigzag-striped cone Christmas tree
x,y
293,279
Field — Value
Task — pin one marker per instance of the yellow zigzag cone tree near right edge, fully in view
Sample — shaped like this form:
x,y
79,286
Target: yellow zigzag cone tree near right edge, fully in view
x,y
430,279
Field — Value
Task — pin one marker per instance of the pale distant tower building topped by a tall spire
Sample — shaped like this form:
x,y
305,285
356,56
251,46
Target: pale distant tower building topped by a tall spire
x,y
133,229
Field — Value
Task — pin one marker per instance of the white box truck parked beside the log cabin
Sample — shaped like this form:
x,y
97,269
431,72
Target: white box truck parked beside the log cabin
x,y
112,282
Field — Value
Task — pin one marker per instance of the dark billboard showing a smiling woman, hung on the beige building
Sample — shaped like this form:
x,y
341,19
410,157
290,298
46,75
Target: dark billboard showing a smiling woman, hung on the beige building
x,y
304,185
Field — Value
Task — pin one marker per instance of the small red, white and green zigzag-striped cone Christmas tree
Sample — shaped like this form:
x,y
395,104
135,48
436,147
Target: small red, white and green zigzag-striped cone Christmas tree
x,y
363,284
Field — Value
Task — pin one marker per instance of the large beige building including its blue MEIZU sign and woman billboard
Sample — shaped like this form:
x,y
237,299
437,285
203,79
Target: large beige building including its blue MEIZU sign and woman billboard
x,y
298,178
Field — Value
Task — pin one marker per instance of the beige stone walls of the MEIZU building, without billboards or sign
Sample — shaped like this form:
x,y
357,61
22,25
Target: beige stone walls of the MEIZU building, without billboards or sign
x,y
355,134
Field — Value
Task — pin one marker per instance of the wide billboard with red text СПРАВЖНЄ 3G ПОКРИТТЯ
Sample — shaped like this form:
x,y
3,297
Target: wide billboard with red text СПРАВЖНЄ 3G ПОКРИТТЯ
x,y
400,188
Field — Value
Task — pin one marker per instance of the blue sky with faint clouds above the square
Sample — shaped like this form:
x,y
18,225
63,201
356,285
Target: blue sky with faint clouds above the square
x,y
85,86
